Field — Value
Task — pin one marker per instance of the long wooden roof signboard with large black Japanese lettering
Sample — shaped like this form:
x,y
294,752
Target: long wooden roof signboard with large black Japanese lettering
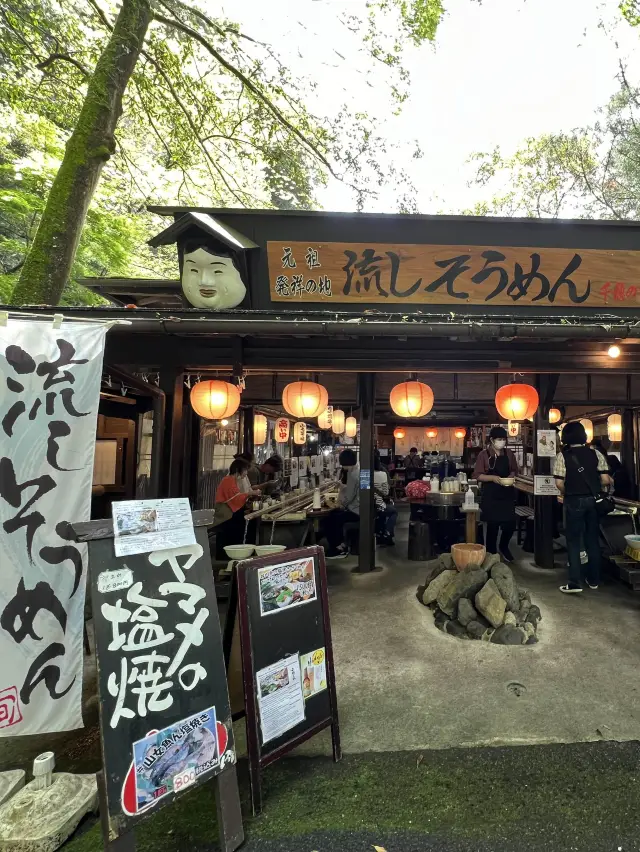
x,y
453,275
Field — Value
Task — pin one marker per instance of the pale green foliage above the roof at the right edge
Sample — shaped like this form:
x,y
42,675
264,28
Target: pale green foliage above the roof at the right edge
x,y
592,172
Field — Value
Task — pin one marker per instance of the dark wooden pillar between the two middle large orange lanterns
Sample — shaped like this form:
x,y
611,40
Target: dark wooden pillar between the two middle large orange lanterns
x,y
367,547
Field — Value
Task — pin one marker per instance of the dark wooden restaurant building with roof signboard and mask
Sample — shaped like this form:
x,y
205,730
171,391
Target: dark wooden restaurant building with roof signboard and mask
x,y
360,303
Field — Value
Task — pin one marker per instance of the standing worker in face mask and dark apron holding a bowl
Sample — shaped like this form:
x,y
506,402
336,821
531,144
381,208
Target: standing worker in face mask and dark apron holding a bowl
x,y
498,500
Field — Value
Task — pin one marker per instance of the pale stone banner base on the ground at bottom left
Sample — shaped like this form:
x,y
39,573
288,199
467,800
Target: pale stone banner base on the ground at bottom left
x,y
41,820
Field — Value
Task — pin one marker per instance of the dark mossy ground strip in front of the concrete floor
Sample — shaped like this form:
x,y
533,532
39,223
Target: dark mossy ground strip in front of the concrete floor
x,y
521,794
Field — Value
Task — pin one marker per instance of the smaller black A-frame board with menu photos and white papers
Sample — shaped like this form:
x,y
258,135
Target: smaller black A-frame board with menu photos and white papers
x,y
287,656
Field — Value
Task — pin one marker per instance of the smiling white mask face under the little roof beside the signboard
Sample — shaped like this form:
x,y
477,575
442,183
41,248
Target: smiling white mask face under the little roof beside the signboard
x,y
211,281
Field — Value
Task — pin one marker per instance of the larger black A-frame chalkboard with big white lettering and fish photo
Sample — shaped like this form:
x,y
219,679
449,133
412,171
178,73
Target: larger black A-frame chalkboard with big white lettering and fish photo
x,y
165,722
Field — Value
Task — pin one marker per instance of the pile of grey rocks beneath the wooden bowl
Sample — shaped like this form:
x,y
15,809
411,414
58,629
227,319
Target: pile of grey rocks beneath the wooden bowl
x,y
481,602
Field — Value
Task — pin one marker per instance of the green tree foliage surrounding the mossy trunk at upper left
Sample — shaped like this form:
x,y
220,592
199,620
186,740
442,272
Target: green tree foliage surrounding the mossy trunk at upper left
x,y
211,117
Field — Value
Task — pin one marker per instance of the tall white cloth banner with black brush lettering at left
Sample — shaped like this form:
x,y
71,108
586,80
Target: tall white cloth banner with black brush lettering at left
x,y
49,394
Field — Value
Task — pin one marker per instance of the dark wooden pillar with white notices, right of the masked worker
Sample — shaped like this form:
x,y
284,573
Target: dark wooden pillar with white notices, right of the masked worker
x,y
543,506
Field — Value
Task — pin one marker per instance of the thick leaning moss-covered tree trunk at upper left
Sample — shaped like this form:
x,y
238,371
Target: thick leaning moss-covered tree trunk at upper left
x,y
48,265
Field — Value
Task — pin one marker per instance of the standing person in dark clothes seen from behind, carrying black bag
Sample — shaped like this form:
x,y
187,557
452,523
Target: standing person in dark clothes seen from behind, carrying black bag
x,y
580,473
